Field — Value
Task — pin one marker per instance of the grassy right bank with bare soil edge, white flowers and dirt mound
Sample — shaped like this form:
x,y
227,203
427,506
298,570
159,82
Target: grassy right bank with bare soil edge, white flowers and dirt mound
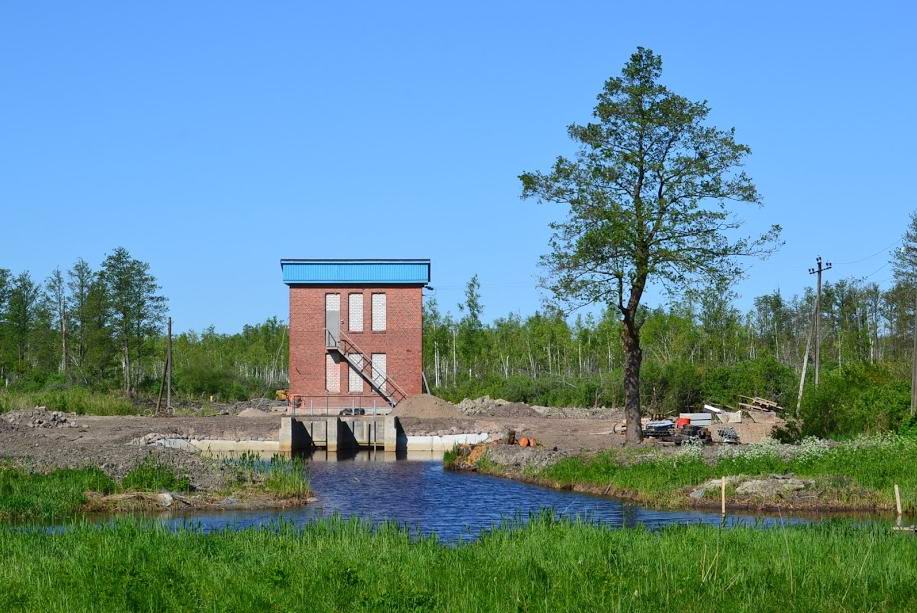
x,y
856,474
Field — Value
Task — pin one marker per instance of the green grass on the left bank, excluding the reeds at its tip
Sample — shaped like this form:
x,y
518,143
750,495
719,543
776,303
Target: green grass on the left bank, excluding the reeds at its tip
x,y
47,497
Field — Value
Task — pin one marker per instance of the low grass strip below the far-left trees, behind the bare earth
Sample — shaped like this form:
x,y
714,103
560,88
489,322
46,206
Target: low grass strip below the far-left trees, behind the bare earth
x,y
69,400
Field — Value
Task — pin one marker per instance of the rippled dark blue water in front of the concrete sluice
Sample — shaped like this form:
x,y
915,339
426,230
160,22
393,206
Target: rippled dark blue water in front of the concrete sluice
x,y
455,506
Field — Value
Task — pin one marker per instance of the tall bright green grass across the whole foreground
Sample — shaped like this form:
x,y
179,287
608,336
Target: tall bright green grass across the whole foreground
x,y
337,565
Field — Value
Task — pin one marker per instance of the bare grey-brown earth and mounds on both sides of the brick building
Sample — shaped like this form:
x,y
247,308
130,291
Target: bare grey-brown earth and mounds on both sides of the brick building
x,y
42,439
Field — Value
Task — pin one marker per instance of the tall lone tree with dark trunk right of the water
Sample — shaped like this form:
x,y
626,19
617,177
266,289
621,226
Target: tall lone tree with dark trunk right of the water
x,y
647,197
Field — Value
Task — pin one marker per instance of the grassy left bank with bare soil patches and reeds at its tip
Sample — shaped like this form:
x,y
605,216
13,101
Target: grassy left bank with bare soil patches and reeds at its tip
x,y
62,494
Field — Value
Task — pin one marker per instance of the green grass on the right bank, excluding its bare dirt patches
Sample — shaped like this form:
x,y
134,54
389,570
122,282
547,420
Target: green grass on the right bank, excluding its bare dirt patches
x,y
861,470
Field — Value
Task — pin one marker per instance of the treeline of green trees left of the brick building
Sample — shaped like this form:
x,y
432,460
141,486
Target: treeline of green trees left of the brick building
x,y
103,329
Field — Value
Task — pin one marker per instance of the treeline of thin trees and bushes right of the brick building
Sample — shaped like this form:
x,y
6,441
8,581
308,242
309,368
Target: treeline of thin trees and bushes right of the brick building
x,y
701,348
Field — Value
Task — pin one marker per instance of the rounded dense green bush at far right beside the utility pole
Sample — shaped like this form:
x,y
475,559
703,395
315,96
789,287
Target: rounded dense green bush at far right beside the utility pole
x,y
853,399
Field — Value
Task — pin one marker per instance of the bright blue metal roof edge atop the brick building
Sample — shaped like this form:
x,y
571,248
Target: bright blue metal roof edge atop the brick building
x,y
330,272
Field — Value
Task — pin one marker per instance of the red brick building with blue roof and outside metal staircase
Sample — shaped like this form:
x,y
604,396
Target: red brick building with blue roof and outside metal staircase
x,y
355,331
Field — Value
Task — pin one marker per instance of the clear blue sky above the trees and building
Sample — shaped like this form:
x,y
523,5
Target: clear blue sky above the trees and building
x,y
213,138
